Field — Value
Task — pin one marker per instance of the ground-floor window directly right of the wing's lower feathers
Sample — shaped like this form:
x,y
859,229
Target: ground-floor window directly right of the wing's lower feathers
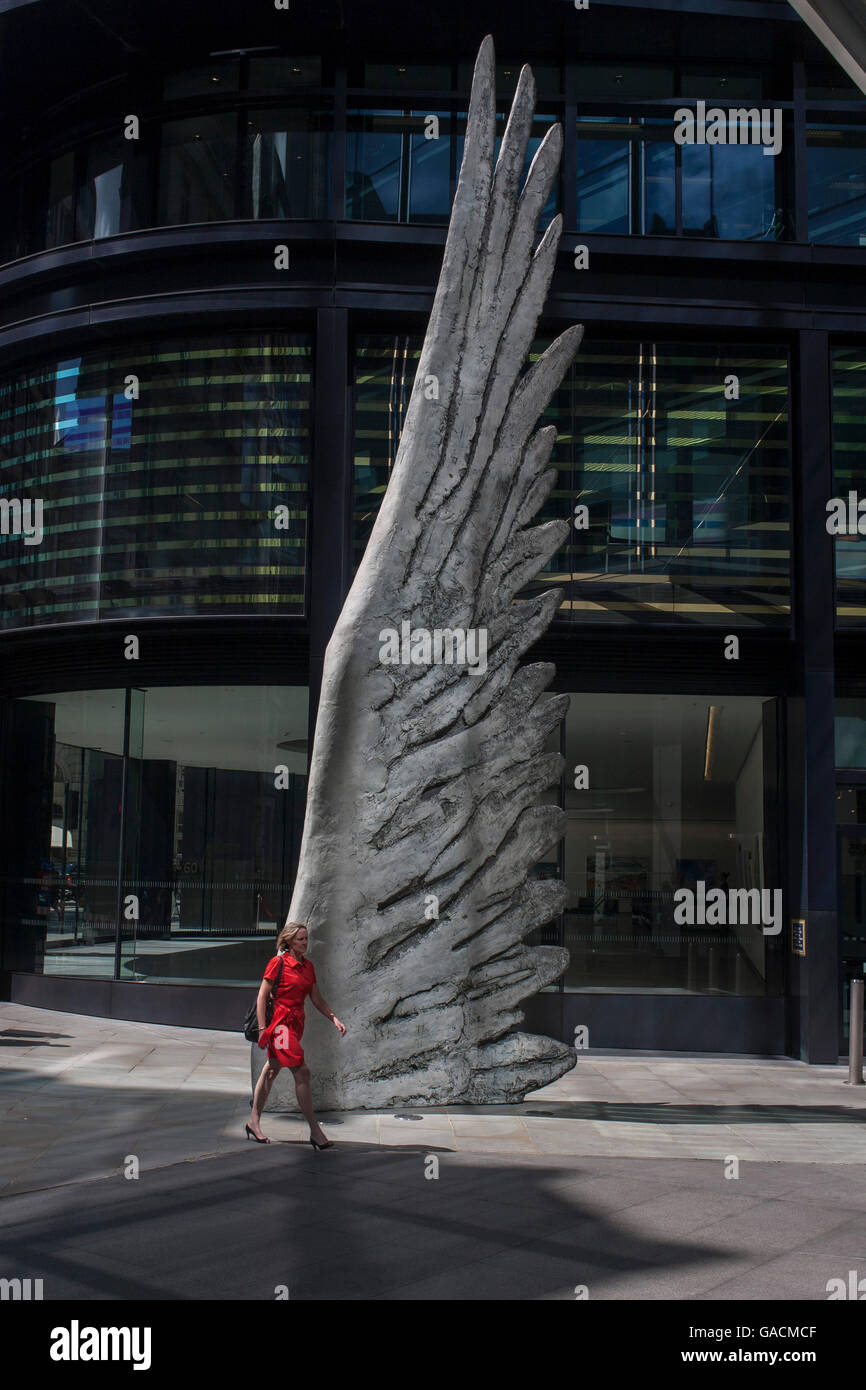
x,y
675,807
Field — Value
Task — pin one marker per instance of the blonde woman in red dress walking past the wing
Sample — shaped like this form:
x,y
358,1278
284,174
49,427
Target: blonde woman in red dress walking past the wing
x,y
283,1035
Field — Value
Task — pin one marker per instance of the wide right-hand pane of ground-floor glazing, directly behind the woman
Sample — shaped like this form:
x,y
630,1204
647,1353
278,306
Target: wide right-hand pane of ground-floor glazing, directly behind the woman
x,y
213,840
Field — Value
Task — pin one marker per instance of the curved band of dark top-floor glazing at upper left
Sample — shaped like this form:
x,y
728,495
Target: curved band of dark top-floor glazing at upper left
x,y
230,142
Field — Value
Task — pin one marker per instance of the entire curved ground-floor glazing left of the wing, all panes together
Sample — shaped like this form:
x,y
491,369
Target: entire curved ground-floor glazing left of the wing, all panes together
x,y
193,883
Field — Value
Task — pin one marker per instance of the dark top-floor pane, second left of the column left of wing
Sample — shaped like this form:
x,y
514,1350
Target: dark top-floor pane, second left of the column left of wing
x,y
198,170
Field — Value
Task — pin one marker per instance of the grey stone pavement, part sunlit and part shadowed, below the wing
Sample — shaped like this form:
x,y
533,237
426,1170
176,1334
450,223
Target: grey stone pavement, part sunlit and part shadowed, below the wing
x,y
636,1177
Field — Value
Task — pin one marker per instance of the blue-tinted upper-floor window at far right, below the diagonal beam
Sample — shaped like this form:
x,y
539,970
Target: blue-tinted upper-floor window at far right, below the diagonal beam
x,y
838,184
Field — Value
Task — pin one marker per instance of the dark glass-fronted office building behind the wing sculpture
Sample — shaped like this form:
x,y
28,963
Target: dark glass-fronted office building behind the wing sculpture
x,y
211,323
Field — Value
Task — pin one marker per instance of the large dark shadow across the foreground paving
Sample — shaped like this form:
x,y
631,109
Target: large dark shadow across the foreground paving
x,y
350,1224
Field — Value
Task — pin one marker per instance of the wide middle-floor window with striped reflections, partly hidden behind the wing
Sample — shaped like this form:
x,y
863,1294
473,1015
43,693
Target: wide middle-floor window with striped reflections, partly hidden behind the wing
x,y
687,493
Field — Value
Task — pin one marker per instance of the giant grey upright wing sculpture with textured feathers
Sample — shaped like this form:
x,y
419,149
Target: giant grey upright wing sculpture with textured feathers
x,y
423,811
